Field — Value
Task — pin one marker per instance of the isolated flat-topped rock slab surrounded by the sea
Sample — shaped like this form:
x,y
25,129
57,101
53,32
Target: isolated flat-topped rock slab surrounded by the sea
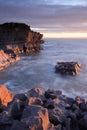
x,y
70,68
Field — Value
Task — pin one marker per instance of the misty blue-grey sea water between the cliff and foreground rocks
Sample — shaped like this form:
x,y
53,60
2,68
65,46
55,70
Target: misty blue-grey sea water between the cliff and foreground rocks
x,y
39,70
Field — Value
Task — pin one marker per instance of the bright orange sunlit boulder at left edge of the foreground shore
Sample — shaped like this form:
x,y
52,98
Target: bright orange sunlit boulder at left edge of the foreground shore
x,y
5,95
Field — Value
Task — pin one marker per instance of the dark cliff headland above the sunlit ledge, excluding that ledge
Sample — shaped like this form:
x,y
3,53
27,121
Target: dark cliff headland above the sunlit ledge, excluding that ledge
x,y
19,37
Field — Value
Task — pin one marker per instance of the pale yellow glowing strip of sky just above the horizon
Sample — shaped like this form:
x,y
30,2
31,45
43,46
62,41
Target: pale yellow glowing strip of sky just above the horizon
x,y
65,35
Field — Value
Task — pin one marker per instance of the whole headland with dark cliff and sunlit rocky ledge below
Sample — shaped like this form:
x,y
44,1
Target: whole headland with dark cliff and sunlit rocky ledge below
x,y
16,39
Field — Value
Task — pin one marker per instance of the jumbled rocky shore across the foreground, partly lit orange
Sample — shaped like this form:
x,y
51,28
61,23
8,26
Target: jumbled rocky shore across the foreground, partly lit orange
x,y
41,110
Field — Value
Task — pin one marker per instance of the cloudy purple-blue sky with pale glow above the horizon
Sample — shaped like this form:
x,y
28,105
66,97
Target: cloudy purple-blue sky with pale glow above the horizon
x,y
53,18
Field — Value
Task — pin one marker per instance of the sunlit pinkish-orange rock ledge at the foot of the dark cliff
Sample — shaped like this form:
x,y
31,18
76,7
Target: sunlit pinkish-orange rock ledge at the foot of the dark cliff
x,y
7,59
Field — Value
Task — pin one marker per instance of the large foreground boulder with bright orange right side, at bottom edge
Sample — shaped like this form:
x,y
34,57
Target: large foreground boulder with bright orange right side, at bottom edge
x,y
35,117
